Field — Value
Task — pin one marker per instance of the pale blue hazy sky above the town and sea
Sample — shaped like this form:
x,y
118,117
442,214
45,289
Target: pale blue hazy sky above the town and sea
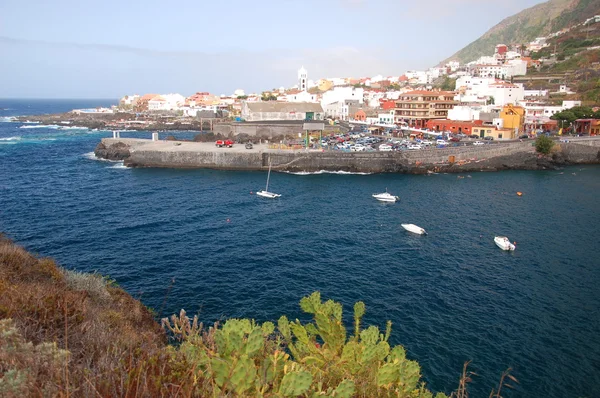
x,y
110,48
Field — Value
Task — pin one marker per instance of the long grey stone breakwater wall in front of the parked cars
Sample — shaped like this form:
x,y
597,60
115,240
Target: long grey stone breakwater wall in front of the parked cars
x,y
494,157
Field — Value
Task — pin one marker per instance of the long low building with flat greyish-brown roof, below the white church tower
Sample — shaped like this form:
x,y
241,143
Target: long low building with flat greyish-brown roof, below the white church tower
x,y
272,110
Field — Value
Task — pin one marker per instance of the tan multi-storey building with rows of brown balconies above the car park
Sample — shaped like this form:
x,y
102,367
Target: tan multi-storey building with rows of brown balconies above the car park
x,y
416,108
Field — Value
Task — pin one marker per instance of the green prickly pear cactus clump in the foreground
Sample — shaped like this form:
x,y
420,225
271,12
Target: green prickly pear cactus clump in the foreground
x,y
316,359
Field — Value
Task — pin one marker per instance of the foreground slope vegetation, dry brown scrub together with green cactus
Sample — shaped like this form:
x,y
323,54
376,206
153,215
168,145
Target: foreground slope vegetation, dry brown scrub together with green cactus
x,y
65,333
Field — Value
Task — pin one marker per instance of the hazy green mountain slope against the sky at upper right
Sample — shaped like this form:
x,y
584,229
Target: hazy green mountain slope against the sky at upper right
x,y
528,24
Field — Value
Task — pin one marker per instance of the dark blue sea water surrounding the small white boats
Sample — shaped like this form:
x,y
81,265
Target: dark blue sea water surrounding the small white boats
x,y
200,240
